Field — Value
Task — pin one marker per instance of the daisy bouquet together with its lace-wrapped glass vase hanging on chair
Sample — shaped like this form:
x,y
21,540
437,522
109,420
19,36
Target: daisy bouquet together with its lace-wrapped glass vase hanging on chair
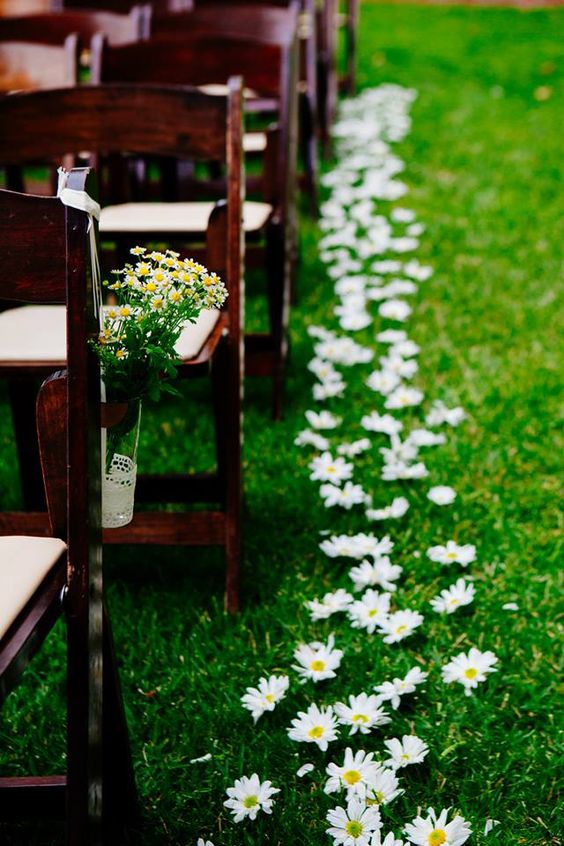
x,y
153,300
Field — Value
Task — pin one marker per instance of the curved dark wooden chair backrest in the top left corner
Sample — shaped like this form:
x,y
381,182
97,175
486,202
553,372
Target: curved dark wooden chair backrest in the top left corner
x,y
53,27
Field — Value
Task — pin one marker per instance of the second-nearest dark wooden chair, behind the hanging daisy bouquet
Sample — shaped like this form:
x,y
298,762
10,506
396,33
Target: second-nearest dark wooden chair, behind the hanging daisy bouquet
x,y
188,124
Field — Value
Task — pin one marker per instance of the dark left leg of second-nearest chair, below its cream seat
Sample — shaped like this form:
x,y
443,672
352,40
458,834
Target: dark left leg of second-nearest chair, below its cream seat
x,y
23,396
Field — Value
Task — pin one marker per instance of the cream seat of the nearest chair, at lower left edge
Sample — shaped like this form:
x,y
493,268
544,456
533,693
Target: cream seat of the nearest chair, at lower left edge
x,y
24,564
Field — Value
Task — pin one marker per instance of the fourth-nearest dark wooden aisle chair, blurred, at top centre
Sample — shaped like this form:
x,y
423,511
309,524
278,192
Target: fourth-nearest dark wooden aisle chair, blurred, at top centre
x,y
276,24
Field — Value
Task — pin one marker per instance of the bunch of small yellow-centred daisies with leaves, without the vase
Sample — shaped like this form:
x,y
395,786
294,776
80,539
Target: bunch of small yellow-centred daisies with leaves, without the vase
x,y
152,300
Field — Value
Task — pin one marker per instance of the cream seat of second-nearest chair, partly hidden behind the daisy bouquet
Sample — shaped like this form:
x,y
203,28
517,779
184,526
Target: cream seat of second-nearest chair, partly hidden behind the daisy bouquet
x,y
38,334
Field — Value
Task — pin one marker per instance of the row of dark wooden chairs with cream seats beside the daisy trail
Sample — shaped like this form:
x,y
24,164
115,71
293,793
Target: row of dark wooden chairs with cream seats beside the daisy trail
x,y
168,163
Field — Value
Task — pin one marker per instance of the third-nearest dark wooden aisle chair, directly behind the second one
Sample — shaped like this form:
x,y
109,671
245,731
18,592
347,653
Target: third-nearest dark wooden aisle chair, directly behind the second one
x,y
269,71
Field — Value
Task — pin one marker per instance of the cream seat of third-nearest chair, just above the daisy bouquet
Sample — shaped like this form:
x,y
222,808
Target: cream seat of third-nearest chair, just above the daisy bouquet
x,y
174,217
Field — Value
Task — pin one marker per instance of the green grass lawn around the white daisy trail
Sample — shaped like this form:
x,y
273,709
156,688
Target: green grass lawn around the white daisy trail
x,y
484,166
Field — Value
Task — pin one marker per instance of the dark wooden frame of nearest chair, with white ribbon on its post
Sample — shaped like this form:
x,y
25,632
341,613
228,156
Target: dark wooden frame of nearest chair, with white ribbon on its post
x,y
44,246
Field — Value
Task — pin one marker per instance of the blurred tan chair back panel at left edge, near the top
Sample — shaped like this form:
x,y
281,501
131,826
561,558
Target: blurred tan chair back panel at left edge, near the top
x,y
27,65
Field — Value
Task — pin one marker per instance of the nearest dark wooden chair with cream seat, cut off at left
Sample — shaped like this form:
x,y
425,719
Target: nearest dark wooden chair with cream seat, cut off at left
x,y
44,251
